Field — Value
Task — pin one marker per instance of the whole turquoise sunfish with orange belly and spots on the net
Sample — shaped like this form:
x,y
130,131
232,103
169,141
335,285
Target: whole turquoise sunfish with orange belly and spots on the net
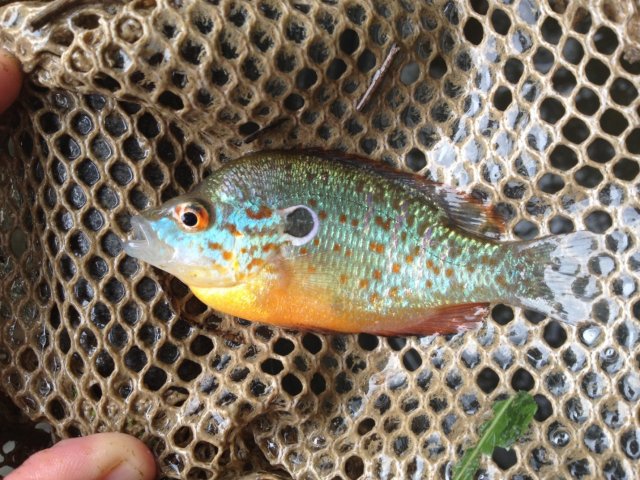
x,y
332,242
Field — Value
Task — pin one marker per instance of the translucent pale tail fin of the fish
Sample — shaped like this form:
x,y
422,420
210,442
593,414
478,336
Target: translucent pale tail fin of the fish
x,y
561,285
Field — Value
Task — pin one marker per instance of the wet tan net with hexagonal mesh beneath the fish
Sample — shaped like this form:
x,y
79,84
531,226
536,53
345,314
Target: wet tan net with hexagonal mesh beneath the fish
x,y
533,104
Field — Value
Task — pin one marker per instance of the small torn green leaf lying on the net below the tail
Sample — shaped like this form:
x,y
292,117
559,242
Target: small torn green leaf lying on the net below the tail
x,y
511,418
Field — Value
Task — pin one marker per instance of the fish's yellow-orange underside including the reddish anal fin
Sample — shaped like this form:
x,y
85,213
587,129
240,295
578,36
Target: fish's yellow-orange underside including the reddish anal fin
x,y
286,301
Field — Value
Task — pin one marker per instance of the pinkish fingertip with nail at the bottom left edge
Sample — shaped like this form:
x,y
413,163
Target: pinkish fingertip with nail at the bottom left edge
x,y
104,456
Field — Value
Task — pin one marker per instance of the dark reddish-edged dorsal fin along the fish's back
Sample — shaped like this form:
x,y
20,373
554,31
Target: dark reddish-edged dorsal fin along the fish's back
x,y
468,213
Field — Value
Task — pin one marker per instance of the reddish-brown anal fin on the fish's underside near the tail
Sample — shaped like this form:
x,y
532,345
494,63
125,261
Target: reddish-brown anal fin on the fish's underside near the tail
x,y
440,320
